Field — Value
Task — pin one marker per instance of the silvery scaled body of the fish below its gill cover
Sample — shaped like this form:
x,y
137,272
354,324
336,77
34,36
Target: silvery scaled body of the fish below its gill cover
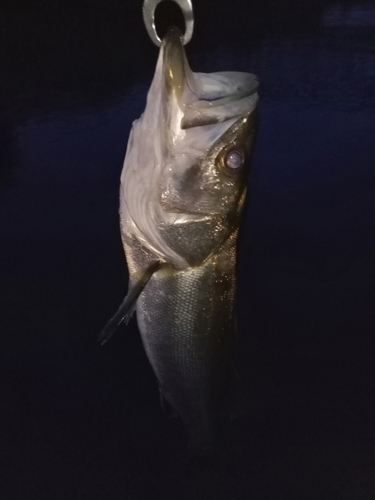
x,y
186,323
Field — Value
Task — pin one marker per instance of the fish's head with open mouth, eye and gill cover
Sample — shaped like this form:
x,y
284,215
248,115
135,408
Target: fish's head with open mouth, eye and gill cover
x,y
185,175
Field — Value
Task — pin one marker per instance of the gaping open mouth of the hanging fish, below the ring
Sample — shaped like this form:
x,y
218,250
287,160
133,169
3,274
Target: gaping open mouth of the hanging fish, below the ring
x,y
204,98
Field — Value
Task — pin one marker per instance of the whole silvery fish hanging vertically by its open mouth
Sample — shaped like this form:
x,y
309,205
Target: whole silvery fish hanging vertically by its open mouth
x,y
182,192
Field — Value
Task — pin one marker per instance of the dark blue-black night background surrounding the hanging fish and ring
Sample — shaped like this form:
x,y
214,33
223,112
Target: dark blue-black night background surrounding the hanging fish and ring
x,y
80,421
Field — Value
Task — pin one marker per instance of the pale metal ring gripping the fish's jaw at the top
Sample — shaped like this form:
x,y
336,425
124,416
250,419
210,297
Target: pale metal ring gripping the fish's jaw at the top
x,y
149,7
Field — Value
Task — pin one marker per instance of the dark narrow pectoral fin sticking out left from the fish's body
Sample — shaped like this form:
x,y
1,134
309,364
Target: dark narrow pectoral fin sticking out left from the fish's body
x,y
127,307
